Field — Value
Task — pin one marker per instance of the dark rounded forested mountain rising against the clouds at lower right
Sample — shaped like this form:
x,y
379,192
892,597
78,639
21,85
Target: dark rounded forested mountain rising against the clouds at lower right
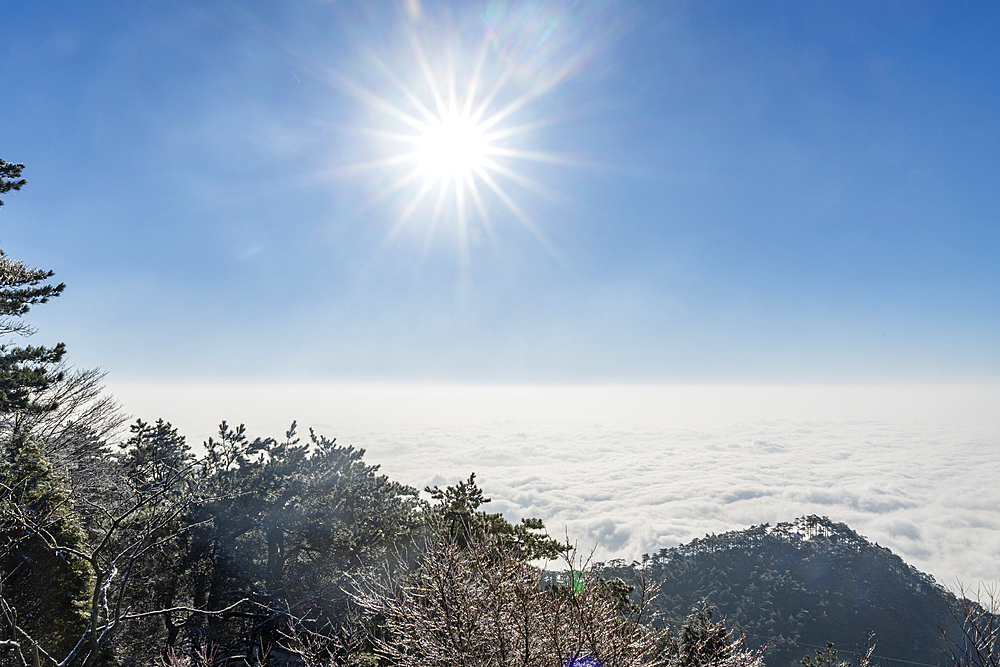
x,y
795,586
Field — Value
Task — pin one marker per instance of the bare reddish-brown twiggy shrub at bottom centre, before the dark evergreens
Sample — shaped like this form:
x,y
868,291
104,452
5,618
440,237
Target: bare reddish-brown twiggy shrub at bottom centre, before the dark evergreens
x,y
482,605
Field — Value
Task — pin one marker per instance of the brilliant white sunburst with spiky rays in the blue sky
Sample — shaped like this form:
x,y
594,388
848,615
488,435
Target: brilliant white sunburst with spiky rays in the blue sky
x,y
452,138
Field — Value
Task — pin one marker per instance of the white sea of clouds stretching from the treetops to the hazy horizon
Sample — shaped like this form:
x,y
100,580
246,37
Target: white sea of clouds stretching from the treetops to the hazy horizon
x,y
630,470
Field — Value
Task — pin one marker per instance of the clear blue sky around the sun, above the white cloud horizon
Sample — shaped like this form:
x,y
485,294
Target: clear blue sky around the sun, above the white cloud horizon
x,y
732,192
